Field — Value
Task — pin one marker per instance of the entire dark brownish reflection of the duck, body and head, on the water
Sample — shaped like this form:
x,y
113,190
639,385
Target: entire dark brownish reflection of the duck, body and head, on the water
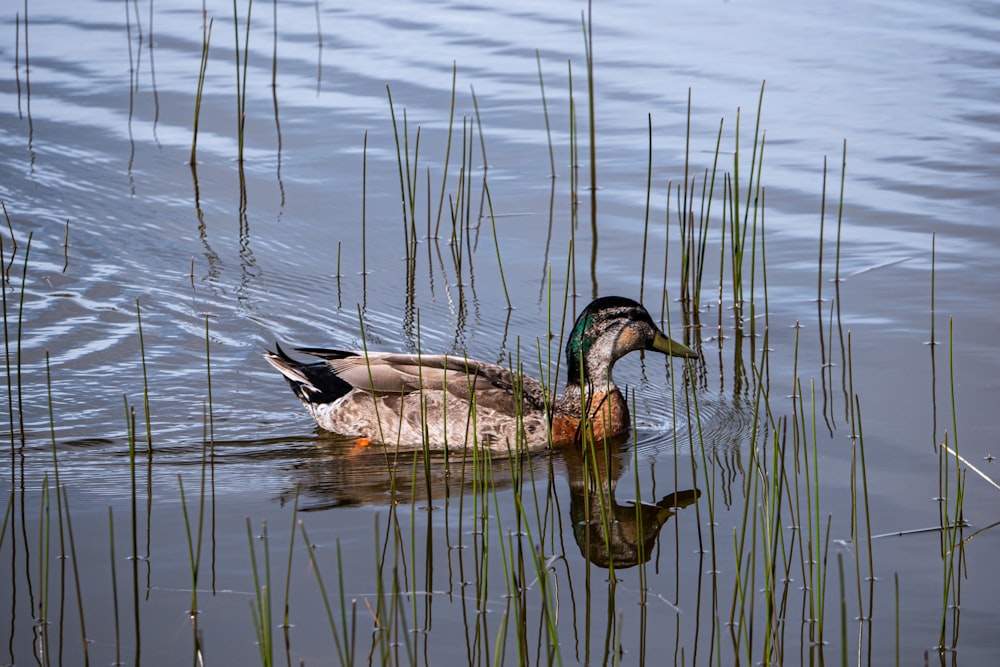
x,y
334,472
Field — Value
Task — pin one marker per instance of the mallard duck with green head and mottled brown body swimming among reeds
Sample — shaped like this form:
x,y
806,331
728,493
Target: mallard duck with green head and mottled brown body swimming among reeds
x,y
447,400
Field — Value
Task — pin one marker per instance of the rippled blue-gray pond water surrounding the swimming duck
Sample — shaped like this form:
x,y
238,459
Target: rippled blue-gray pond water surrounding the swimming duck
x,y
306,240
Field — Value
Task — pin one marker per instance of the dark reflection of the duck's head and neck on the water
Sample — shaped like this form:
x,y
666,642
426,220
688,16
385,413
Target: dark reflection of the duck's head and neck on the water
x,y
609,533
